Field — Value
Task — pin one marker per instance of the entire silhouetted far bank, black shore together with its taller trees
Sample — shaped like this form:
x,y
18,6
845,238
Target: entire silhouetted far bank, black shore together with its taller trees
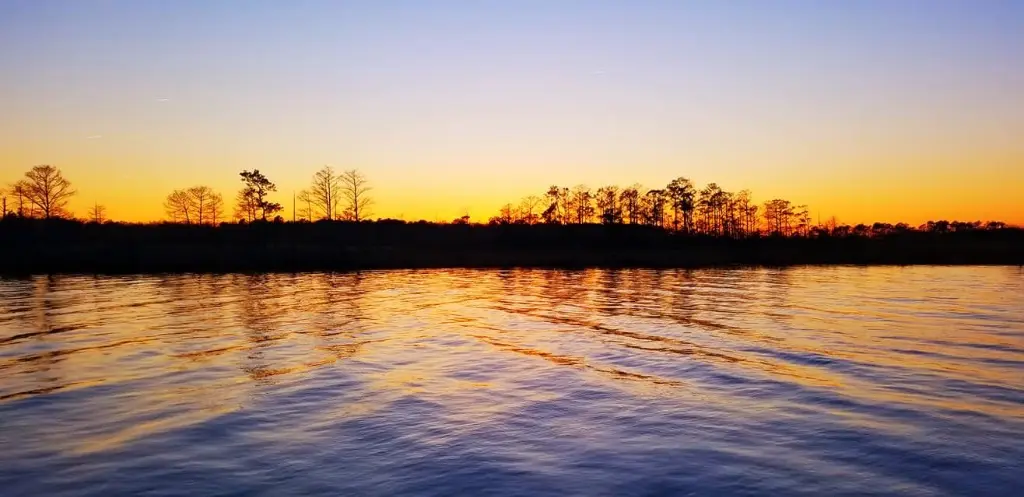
x,y
331,229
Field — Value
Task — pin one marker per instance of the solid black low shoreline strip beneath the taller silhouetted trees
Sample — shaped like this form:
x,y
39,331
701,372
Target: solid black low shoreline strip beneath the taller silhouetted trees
x,y
38,246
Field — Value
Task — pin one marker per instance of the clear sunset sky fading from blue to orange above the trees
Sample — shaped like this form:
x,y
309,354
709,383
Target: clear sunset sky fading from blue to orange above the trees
x,y
868,111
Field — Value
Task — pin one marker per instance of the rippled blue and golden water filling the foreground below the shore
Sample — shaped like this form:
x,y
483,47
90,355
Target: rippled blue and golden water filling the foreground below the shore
x,y
803,382
